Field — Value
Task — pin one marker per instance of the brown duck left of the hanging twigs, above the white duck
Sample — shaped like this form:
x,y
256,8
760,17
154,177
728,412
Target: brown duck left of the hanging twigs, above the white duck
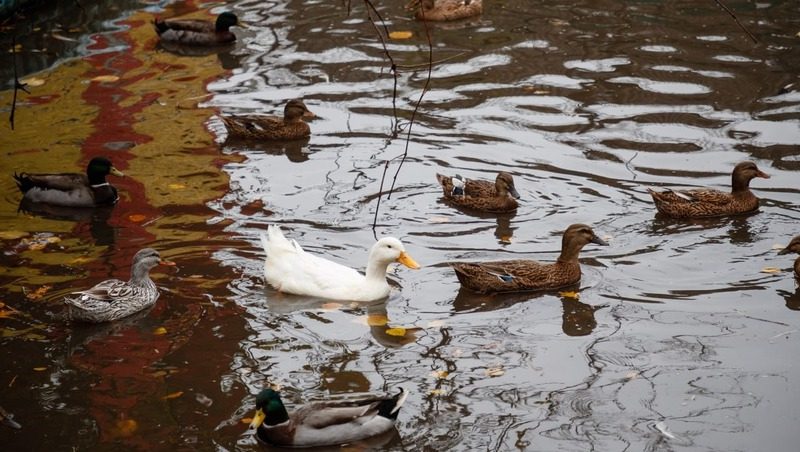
x,y
258,127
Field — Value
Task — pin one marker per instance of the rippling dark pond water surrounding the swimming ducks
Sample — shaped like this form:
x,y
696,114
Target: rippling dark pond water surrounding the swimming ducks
x,y
678,341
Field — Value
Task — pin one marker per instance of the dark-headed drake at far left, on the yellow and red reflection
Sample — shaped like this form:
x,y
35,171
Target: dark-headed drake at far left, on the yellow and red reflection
x,y
71,189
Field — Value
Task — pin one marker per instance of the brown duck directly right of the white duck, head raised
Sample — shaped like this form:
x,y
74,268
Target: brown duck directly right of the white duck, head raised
x,y
524,275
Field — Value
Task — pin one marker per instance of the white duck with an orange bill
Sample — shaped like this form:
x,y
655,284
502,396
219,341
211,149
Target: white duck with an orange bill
x,y
290,269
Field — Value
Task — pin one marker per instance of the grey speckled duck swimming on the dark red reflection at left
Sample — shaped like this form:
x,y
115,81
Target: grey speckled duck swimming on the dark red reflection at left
x,y
114,299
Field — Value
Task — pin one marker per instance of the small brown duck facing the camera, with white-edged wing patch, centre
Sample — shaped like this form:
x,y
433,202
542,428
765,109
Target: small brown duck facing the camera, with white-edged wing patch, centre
x,y
497,197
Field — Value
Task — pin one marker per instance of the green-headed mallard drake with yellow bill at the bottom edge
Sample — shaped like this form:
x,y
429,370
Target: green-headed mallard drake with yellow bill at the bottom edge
x,y
325,423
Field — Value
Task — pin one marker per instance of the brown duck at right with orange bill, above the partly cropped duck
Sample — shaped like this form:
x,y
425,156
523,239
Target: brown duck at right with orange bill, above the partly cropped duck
x,y
707,202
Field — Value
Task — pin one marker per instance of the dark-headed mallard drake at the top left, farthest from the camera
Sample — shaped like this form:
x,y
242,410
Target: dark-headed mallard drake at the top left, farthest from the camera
x,y
197,32
